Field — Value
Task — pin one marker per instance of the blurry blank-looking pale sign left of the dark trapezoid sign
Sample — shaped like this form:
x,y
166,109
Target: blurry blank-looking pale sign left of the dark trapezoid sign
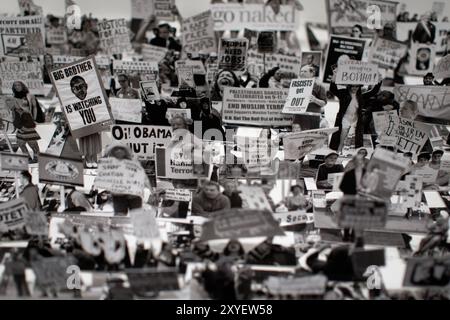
x,y
144,224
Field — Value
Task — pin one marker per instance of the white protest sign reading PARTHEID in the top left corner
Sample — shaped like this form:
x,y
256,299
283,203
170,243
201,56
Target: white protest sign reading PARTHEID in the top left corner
x,y
14,31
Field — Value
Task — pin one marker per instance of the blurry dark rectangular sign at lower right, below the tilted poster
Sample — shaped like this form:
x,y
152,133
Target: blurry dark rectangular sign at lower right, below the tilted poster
x,y
361,213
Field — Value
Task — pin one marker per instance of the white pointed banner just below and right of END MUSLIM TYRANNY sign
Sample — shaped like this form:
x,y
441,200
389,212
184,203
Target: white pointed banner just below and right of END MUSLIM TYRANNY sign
x,y
299,144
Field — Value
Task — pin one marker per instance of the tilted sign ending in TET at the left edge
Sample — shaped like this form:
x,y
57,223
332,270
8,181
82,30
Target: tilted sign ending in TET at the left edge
x,y
12,214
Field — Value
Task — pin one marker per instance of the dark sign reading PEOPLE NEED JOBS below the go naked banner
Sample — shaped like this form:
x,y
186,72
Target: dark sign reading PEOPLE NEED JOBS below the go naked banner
x,y
233,54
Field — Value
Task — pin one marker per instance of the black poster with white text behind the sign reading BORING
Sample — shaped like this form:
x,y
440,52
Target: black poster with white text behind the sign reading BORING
x,y
342,48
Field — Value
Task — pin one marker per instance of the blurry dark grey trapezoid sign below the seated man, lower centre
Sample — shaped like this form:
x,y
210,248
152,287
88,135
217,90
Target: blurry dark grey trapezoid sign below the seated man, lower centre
x,y
234,224
